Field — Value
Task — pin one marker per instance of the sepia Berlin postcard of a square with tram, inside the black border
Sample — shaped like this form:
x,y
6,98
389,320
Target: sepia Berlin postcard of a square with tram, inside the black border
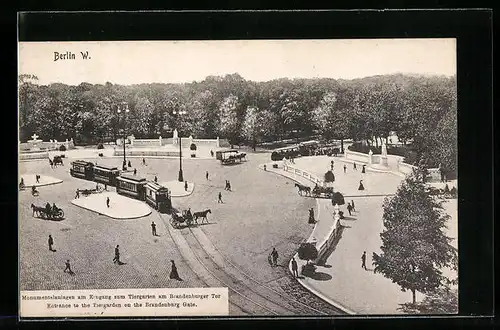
x,y
238,178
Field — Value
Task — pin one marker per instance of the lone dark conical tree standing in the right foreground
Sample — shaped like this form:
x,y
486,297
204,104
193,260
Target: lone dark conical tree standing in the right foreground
x,y
414,247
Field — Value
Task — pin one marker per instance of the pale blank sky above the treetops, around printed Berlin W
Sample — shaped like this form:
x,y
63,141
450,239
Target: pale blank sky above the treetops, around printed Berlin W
x,y
135,62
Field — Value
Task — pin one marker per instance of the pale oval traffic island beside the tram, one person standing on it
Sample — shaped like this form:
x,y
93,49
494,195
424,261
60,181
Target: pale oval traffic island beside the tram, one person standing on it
x,y
120,207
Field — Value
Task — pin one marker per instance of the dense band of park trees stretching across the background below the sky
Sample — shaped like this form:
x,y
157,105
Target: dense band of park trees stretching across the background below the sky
x,y
418,108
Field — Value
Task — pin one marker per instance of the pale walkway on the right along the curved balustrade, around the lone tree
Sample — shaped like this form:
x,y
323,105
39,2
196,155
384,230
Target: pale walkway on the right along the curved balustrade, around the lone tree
x,y
341,281
